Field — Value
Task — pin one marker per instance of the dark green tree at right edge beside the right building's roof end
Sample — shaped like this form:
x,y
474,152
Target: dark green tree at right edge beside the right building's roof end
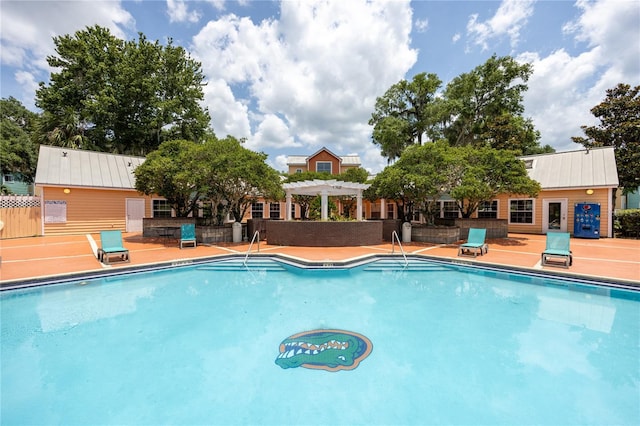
x,y
619,127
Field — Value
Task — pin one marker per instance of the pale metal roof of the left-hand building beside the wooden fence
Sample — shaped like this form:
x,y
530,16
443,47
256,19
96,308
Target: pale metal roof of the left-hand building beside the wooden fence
x,y
72,167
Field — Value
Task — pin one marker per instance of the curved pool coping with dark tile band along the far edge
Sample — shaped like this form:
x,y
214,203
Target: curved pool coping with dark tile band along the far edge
x,y
23,283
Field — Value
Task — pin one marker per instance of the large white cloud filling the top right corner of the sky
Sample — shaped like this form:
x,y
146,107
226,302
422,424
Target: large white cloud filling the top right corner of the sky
x,y
564,88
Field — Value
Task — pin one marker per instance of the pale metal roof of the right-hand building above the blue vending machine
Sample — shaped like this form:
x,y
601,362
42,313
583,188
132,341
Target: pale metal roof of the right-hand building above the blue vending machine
x,y
591,168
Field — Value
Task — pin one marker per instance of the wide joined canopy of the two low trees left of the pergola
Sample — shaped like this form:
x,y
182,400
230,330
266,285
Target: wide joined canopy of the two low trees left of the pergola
x,y
220,171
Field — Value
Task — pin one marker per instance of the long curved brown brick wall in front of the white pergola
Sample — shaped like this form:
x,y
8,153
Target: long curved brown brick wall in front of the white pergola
x,y
323,234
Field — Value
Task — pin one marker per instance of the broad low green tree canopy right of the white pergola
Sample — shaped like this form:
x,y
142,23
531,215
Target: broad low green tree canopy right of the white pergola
x,y
469,174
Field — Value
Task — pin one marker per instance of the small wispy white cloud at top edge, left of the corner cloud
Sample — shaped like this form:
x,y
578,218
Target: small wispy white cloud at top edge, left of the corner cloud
x,y
509,19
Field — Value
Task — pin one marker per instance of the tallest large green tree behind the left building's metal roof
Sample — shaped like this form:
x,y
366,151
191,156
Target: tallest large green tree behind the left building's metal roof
x,y
121,96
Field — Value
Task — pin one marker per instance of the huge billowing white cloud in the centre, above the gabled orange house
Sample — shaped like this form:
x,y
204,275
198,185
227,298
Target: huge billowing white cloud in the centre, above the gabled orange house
x,y
312,75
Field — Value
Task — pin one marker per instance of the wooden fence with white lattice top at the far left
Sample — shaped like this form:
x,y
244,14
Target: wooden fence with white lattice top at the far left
x,y
20,216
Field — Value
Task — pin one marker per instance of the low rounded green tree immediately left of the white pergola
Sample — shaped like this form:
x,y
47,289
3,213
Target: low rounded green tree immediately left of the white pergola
x,y
235,176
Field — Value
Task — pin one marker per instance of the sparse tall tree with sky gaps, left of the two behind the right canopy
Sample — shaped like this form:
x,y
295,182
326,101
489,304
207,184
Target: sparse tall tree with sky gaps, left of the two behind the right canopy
x,y
405,114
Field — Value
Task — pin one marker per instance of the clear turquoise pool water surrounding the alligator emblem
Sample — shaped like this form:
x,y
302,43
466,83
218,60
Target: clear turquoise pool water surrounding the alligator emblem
x,y
198,345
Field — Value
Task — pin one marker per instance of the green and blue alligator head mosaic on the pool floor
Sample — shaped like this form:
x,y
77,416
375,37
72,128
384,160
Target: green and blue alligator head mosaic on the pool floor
x,y
330,350
